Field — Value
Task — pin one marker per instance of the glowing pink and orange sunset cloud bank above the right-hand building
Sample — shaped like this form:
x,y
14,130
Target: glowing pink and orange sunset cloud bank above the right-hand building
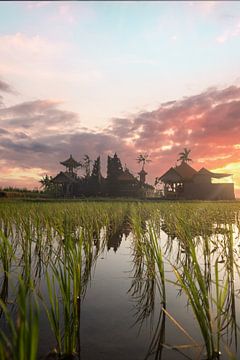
x,y
208,123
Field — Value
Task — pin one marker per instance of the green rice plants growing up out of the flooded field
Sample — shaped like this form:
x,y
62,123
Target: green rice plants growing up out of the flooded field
x,y
189,249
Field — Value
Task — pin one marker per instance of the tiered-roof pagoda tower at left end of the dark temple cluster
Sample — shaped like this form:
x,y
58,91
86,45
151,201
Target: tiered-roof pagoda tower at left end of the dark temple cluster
x,y
68,180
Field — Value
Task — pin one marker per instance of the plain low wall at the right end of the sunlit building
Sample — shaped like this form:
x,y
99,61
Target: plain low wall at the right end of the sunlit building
x,y
207,191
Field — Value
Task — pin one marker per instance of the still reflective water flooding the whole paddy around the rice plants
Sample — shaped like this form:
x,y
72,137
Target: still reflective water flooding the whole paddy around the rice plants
x,y
122,313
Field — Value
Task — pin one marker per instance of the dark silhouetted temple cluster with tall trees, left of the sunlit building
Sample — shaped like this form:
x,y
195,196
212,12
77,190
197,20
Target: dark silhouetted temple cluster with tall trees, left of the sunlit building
x,y
118,182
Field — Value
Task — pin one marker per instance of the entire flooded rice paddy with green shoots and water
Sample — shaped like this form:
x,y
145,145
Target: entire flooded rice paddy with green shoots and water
x,y
122,280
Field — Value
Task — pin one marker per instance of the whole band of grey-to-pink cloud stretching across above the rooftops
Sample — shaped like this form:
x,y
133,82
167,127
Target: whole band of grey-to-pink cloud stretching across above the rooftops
x,y
40,134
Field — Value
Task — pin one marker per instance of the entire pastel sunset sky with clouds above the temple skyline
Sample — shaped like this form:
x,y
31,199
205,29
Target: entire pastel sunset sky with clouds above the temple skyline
x,y
128,77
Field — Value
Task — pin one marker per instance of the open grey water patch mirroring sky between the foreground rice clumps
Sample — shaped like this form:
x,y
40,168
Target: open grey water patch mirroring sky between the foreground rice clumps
x,y
108,312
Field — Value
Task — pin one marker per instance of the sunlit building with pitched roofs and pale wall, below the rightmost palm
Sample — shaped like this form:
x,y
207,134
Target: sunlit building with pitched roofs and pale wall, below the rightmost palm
x,y
184,182
